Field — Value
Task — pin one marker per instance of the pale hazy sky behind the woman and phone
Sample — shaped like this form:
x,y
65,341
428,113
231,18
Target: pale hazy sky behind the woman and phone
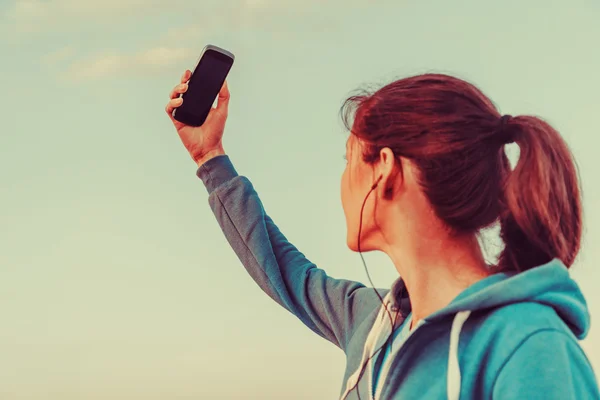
x,y
116,282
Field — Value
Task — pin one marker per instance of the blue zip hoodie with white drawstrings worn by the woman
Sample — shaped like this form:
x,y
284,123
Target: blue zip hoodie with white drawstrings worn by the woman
x,y
509,336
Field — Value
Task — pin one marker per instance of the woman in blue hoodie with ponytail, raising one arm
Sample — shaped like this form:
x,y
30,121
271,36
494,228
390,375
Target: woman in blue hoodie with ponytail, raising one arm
x,y
426,171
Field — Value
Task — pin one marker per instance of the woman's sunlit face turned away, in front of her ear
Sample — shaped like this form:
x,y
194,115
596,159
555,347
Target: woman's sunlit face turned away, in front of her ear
x,y
357,180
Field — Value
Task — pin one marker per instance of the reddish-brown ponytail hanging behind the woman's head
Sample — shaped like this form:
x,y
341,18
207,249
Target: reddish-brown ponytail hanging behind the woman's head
x,y
541,217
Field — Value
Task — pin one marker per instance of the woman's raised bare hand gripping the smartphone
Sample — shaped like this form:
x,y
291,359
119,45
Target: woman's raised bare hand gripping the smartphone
x,y
202,142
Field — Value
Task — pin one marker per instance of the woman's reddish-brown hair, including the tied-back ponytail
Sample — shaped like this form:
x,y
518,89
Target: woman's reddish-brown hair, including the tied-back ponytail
x,y
455,136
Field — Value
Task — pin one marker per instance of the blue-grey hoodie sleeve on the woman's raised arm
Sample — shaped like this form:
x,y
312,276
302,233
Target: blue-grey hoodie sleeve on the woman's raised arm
x,y
330,307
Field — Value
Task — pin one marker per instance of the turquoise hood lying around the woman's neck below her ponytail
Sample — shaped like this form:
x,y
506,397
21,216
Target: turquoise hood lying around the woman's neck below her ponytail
x,y
548,284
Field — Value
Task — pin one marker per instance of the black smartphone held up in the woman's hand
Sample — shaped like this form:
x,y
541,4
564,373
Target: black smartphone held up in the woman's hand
x,y
204,85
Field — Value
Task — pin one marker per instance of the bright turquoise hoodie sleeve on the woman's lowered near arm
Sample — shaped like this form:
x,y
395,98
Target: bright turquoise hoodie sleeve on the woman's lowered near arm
x,y
547,364
